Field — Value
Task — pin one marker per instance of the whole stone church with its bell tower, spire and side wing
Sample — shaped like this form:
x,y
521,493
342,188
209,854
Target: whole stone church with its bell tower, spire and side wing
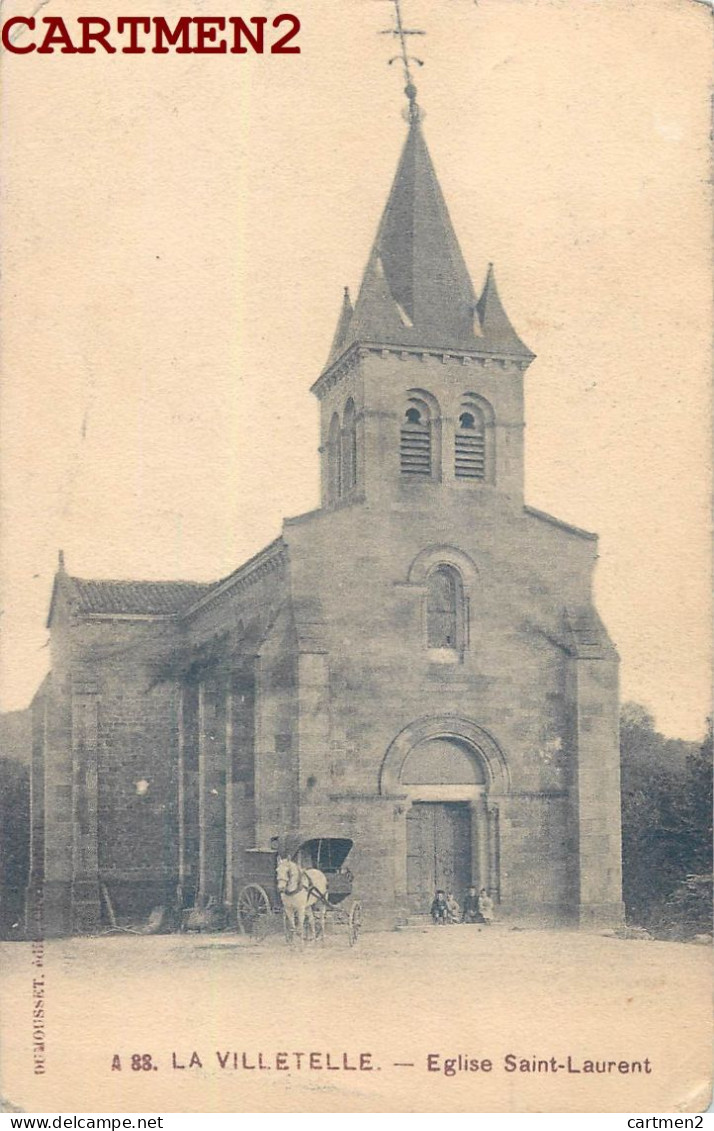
x,y
417,666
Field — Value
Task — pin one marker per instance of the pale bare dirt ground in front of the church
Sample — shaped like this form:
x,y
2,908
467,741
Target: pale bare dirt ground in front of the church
x,y
244,1013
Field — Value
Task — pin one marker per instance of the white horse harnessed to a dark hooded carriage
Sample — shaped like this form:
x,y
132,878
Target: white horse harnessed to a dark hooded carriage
x,y
297,873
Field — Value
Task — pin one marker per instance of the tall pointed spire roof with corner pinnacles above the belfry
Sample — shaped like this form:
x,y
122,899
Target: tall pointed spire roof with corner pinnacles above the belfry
x,y
417,290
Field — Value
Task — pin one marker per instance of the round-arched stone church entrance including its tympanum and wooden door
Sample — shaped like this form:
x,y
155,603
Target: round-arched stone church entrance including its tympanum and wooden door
x,y
449,775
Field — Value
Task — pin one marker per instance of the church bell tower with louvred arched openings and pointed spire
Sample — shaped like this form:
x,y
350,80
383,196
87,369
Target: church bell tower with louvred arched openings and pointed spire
x,y
423,392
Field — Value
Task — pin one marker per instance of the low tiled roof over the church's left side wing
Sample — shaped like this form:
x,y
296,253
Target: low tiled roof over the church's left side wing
x,y
139,598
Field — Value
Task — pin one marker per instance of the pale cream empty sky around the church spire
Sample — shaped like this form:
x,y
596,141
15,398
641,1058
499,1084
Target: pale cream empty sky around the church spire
x,y
177,231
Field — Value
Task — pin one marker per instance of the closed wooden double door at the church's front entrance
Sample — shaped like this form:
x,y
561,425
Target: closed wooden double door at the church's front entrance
x,y
438,851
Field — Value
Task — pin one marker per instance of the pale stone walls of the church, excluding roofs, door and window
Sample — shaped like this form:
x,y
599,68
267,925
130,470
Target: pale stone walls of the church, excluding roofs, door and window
x,y
164,748
